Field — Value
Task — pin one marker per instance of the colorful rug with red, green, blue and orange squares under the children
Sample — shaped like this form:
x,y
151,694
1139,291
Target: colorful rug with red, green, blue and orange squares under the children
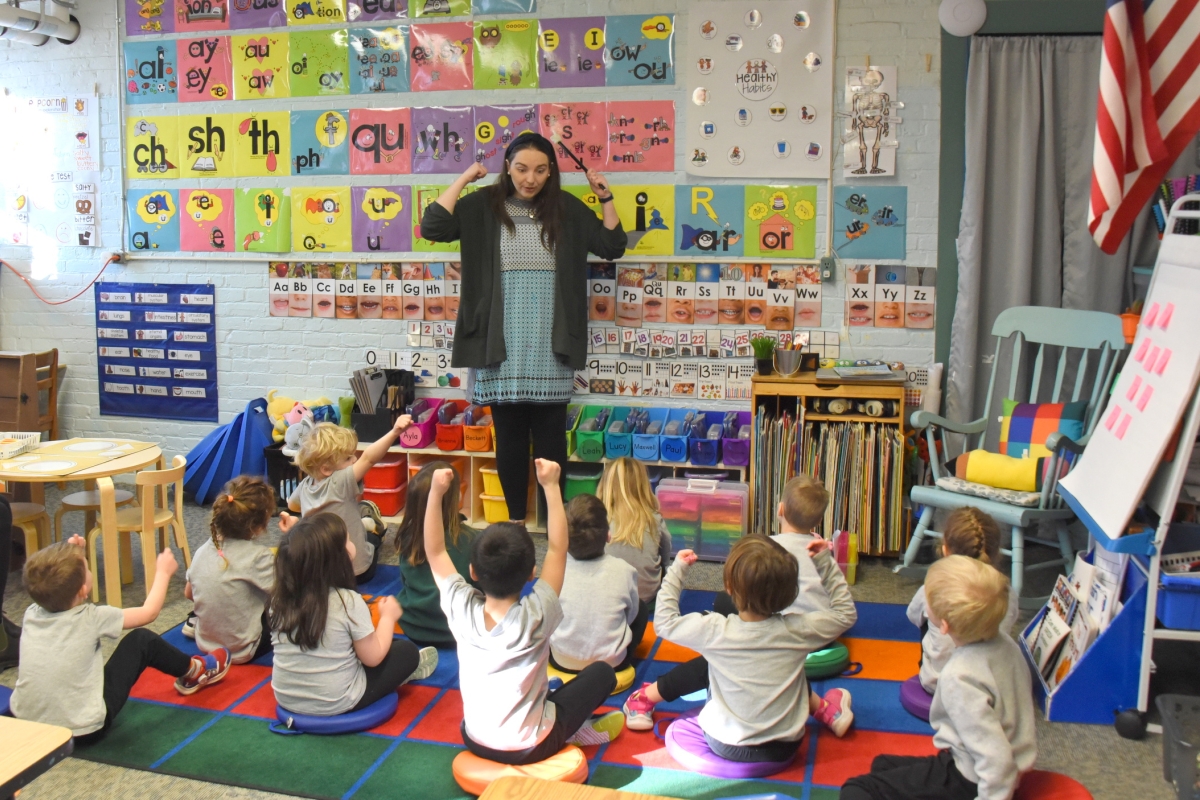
x,y
221,735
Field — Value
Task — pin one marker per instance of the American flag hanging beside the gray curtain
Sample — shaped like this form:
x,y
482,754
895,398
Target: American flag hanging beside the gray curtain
x,y
1149,109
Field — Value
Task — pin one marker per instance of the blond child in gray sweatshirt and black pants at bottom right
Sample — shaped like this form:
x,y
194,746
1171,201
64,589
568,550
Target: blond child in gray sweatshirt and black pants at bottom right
x,y
983,708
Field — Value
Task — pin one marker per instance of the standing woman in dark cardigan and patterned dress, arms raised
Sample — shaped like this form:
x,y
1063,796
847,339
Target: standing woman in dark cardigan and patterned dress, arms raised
x,y
524,315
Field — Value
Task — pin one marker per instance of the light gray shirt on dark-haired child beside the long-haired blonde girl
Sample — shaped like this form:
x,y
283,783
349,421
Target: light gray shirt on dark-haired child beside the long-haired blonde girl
x,y
599,600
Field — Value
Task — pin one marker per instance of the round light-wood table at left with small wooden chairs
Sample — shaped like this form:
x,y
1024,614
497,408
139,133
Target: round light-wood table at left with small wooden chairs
x,y
118,563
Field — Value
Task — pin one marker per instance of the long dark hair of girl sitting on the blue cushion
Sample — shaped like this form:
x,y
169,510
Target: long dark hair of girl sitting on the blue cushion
x,y
311,561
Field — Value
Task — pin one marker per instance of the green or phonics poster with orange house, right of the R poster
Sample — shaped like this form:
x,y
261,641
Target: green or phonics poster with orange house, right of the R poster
x,y
781,221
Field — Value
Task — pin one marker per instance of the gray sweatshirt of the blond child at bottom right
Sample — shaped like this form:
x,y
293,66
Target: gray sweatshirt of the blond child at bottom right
x,y
983,714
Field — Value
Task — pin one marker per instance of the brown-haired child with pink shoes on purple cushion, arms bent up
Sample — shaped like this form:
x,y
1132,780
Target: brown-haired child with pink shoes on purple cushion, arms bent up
x,y
752,664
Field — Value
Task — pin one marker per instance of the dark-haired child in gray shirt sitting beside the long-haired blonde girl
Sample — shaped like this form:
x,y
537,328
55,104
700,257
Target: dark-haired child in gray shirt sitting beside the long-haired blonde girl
x,y
603,618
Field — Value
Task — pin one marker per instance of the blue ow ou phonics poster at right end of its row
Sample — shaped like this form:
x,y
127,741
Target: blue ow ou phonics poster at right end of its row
x,y
640,51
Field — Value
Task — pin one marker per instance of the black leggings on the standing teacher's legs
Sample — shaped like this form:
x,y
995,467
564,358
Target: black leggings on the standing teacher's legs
x,y
515,424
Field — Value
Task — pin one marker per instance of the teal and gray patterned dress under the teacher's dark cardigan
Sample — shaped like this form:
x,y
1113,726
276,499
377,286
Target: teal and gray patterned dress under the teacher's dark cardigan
x,y
531,374
